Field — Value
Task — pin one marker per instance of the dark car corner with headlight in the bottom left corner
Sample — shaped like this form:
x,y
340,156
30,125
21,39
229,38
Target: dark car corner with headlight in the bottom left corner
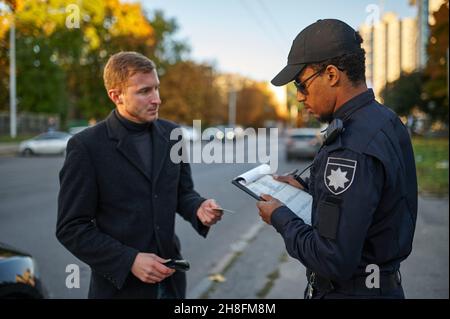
x,y
19,275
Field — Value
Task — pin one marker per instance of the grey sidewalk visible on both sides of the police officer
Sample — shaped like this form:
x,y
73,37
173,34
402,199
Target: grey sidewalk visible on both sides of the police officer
x,y
258,266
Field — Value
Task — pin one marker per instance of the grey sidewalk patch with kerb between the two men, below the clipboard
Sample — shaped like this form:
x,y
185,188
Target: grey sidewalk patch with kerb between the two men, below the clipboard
x,y
258,268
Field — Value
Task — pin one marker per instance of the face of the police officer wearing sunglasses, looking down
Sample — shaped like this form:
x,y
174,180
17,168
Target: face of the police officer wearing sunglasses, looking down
x,y
318,97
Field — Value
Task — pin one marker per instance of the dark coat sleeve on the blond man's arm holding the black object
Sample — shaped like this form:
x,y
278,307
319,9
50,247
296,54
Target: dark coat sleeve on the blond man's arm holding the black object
x,y
75,226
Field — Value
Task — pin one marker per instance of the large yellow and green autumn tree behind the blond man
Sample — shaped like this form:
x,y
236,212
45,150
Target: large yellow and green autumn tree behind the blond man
x,y
62,48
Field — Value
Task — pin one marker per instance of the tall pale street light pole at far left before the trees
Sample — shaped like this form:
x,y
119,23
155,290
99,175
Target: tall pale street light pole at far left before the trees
x,y
12,78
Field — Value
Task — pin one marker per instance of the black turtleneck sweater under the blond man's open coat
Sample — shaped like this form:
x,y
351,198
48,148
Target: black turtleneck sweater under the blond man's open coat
x,y
140,136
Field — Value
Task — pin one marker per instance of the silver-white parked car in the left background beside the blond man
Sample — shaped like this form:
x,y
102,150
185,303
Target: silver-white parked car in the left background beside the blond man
x,y
53,142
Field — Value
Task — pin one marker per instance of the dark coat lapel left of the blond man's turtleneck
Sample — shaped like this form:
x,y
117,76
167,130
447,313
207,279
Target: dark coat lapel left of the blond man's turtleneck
x,y
117,132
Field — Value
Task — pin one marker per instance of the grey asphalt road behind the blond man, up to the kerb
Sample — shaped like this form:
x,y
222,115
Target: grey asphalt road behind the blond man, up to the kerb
x,y
28,197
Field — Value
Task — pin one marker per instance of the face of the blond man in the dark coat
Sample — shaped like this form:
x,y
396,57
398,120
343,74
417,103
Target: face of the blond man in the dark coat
x,y
140,98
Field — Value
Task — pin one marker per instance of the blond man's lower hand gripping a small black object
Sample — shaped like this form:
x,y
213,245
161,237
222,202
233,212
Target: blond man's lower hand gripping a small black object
x,y
149,268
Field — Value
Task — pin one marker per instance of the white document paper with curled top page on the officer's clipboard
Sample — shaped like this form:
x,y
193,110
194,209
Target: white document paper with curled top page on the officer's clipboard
x,y
259,181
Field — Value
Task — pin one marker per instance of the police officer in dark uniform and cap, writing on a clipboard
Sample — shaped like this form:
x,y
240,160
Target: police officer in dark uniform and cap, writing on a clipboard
x,y
363,179
